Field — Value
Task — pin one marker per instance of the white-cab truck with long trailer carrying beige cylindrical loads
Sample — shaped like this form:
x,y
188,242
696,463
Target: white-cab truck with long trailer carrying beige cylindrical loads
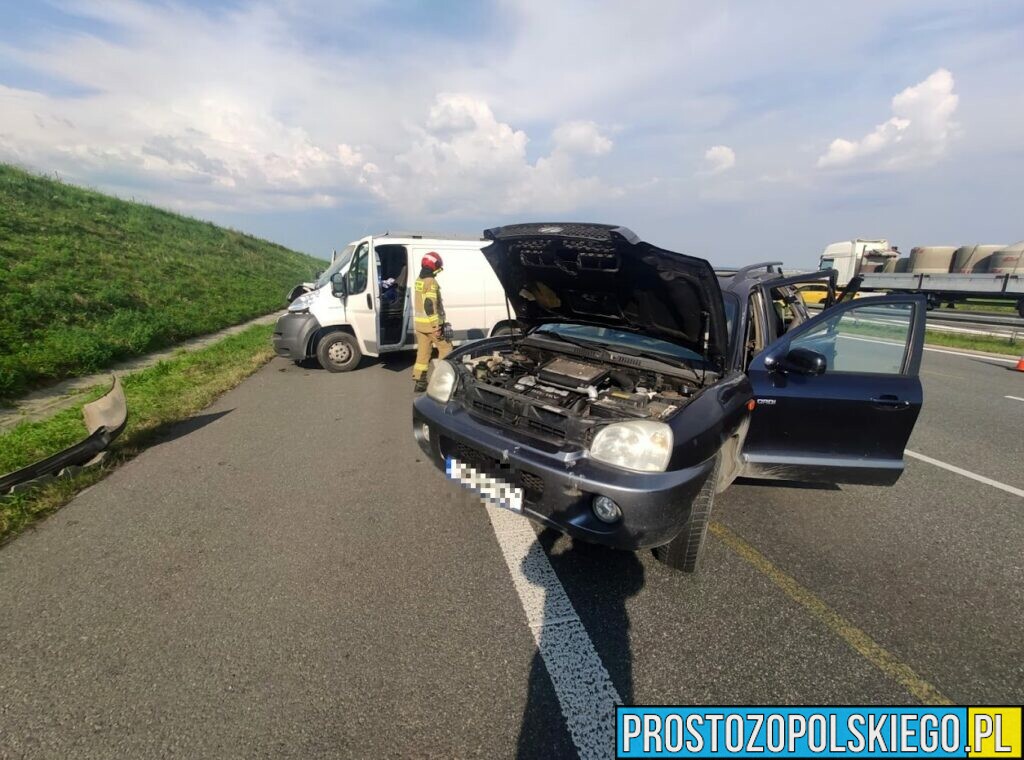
x,y
943,274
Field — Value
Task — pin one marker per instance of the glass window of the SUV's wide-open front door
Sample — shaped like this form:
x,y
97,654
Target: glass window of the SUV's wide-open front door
x,y
868,339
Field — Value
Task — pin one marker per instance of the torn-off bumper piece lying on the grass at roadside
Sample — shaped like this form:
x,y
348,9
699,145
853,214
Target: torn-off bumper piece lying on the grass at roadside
x,y
105,420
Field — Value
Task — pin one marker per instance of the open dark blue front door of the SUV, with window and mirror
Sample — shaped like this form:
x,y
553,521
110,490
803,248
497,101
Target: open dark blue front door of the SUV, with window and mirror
x,y
838,397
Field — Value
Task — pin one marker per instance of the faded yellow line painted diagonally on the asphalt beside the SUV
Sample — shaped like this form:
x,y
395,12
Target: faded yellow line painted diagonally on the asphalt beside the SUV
x,y
863,644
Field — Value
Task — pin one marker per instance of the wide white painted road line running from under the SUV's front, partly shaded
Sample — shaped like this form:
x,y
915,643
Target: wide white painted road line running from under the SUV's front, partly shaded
x,y
586,694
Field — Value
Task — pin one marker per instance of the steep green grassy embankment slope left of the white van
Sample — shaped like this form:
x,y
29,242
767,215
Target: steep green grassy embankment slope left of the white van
x,y
88,279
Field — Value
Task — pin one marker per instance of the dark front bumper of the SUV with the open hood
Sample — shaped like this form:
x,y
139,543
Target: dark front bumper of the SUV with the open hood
x,y
560,485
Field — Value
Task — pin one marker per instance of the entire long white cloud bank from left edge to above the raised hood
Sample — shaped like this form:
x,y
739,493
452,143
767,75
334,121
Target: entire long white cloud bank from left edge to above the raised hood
x,y
169,113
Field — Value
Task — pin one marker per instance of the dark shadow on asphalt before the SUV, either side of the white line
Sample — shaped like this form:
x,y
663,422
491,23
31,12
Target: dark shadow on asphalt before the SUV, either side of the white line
x,y
599,582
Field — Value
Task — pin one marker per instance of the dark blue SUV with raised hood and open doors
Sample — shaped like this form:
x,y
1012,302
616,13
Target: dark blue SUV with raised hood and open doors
x,y
634,385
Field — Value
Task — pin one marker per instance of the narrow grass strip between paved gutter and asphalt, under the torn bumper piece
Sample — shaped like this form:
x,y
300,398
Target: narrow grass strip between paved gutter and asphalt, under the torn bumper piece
x,y
158,397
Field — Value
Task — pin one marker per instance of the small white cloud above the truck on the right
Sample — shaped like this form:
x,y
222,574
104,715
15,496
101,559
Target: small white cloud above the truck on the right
x,y
918,134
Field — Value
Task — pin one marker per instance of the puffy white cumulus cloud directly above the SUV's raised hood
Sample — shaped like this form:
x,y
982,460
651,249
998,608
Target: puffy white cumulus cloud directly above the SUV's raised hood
x,y
465,161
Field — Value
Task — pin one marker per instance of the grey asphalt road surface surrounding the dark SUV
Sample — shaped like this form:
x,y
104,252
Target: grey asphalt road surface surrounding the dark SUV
x,y
285,577
